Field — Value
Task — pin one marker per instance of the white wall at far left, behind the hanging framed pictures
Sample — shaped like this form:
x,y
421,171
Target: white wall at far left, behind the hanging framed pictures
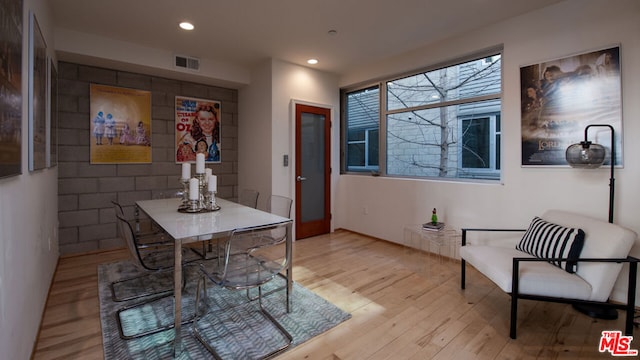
x,y
28,228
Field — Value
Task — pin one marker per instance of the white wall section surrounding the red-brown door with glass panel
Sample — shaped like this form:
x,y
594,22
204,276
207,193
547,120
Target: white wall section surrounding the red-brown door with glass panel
x,y
275,86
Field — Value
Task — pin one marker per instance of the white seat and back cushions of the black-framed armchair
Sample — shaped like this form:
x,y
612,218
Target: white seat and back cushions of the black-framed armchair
x,y
592,281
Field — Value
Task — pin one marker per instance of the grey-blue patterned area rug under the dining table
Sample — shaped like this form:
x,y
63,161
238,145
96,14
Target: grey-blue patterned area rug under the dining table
x,y
235,333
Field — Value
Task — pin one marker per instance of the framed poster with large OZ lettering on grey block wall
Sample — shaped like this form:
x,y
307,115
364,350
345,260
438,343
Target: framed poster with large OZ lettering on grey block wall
x,y
197,129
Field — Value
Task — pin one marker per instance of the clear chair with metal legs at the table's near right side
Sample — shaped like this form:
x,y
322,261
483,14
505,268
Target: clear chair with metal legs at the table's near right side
x,y
244,267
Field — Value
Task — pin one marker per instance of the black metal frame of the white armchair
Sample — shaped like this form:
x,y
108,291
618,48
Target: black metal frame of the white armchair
x,y
629,307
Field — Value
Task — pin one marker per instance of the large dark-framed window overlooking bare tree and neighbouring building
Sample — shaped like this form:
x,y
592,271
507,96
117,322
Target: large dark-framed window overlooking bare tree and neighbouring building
x,y
442,123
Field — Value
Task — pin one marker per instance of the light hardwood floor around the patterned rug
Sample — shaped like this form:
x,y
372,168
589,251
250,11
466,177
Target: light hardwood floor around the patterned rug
x,y
404,304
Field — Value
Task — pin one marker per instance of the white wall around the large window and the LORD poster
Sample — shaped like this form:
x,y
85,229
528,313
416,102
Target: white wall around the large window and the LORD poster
x,y
570,27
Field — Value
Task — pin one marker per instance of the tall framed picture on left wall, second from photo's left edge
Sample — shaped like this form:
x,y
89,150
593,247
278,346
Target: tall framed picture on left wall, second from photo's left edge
x,y
37,96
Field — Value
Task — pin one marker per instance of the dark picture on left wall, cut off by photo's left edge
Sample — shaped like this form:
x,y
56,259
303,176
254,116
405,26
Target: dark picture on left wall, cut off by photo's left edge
x,y
10,88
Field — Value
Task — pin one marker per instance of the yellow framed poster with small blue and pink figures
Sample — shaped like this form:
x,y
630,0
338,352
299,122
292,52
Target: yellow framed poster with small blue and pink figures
x,y
120,125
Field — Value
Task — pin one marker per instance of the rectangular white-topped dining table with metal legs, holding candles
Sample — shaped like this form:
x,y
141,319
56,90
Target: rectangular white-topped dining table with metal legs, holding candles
x,y
186,228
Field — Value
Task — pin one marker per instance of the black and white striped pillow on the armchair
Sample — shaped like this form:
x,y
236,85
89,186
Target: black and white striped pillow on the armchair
x,y
547,240
